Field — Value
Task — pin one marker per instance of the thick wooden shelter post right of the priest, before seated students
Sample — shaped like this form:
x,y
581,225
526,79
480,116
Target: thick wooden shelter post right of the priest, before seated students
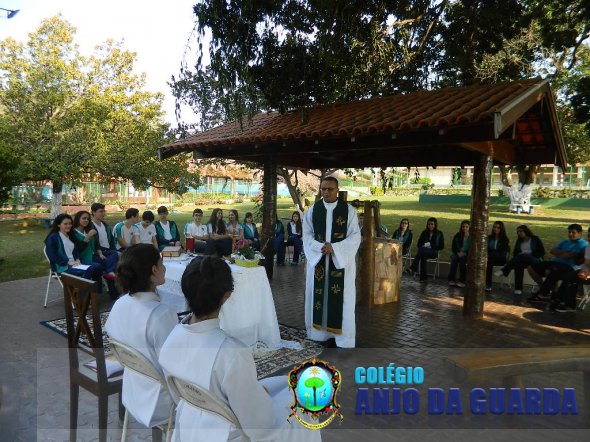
x,y
473,303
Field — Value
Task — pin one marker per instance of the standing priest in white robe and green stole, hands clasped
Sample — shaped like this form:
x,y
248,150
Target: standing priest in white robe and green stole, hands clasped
x,y
331,238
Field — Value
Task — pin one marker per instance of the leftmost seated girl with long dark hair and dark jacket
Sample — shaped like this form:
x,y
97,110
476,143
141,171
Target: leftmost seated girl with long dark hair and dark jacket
x,y
63,250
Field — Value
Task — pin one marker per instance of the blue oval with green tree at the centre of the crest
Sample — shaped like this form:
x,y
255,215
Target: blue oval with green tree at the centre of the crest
x,y
314,389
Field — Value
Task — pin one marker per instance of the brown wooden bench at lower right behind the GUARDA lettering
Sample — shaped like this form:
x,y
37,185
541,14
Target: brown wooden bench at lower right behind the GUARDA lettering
x,y
510,365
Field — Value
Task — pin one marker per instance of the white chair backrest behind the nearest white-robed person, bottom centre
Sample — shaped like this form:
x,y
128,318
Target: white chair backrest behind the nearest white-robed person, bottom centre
x,y
201,398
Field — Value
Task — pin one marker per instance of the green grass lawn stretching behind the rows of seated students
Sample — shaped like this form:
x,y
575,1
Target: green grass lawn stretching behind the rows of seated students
x,y
21,248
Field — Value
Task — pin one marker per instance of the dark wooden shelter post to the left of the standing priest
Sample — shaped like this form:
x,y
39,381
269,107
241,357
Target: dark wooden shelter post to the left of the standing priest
x,y
269,209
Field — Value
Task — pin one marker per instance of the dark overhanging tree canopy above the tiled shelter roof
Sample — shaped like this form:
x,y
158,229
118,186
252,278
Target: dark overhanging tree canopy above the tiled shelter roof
x,y
279,55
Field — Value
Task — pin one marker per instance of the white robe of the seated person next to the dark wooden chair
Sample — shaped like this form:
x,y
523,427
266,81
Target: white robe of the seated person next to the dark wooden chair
x,y
143,323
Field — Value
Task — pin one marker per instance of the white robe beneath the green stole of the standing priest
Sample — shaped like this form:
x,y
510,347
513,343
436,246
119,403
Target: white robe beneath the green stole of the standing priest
x,y
344,257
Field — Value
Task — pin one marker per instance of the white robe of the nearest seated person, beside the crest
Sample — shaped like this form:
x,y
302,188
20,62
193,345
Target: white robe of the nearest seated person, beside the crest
x,y
203,354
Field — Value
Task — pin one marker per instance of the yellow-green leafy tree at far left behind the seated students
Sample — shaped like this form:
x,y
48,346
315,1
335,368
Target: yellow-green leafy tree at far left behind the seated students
x,y
71,116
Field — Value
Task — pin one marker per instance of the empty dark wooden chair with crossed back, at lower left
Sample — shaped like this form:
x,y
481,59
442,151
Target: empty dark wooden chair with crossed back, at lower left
x,y
81,299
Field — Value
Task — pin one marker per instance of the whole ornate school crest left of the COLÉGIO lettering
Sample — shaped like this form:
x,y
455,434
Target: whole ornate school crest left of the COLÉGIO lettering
x,y
314,385
